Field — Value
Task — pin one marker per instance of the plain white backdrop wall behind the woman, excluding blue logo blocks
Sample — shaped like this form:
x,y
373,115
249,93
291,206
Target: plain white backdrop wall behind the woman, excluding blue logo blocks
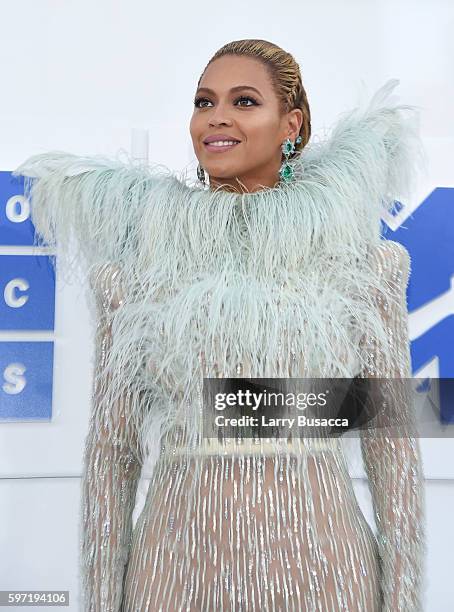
x,y
77,76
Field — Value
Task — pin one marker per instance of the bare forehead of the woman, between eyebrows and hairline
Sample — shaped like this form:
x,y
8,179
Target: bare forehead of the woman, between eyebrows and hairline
x,y
229,71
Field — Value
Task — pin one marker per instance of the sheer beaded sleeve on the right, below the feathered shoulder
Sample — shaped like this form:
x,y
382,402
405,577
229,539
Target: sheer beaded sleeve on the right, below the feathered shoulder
x,y
390,445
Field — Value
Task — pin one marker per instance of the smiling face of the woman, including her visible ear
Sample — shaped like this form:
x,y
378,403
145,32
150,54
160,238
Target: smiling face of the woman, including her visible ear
x,y
236,100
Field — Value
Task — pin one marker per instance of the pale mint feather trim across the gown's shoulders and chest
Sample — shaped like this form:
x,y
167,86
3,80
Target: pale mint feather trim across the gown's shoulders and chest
x,y
276,282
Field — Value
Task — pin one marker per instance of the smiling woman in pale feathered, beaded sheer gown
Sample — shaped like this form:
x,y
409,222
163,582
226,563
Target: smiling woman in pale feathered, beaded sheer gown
x,y
276,269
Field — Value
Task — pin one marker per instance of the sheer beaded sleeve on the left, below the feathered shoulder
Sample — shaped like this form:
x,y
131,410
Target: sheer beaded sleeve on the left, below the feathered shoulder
x,y
111,470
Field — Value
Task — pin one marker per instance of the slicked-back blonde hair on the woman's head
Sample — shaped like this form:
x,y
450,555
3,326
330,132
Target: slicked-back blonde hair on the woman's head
x,y
285,77
